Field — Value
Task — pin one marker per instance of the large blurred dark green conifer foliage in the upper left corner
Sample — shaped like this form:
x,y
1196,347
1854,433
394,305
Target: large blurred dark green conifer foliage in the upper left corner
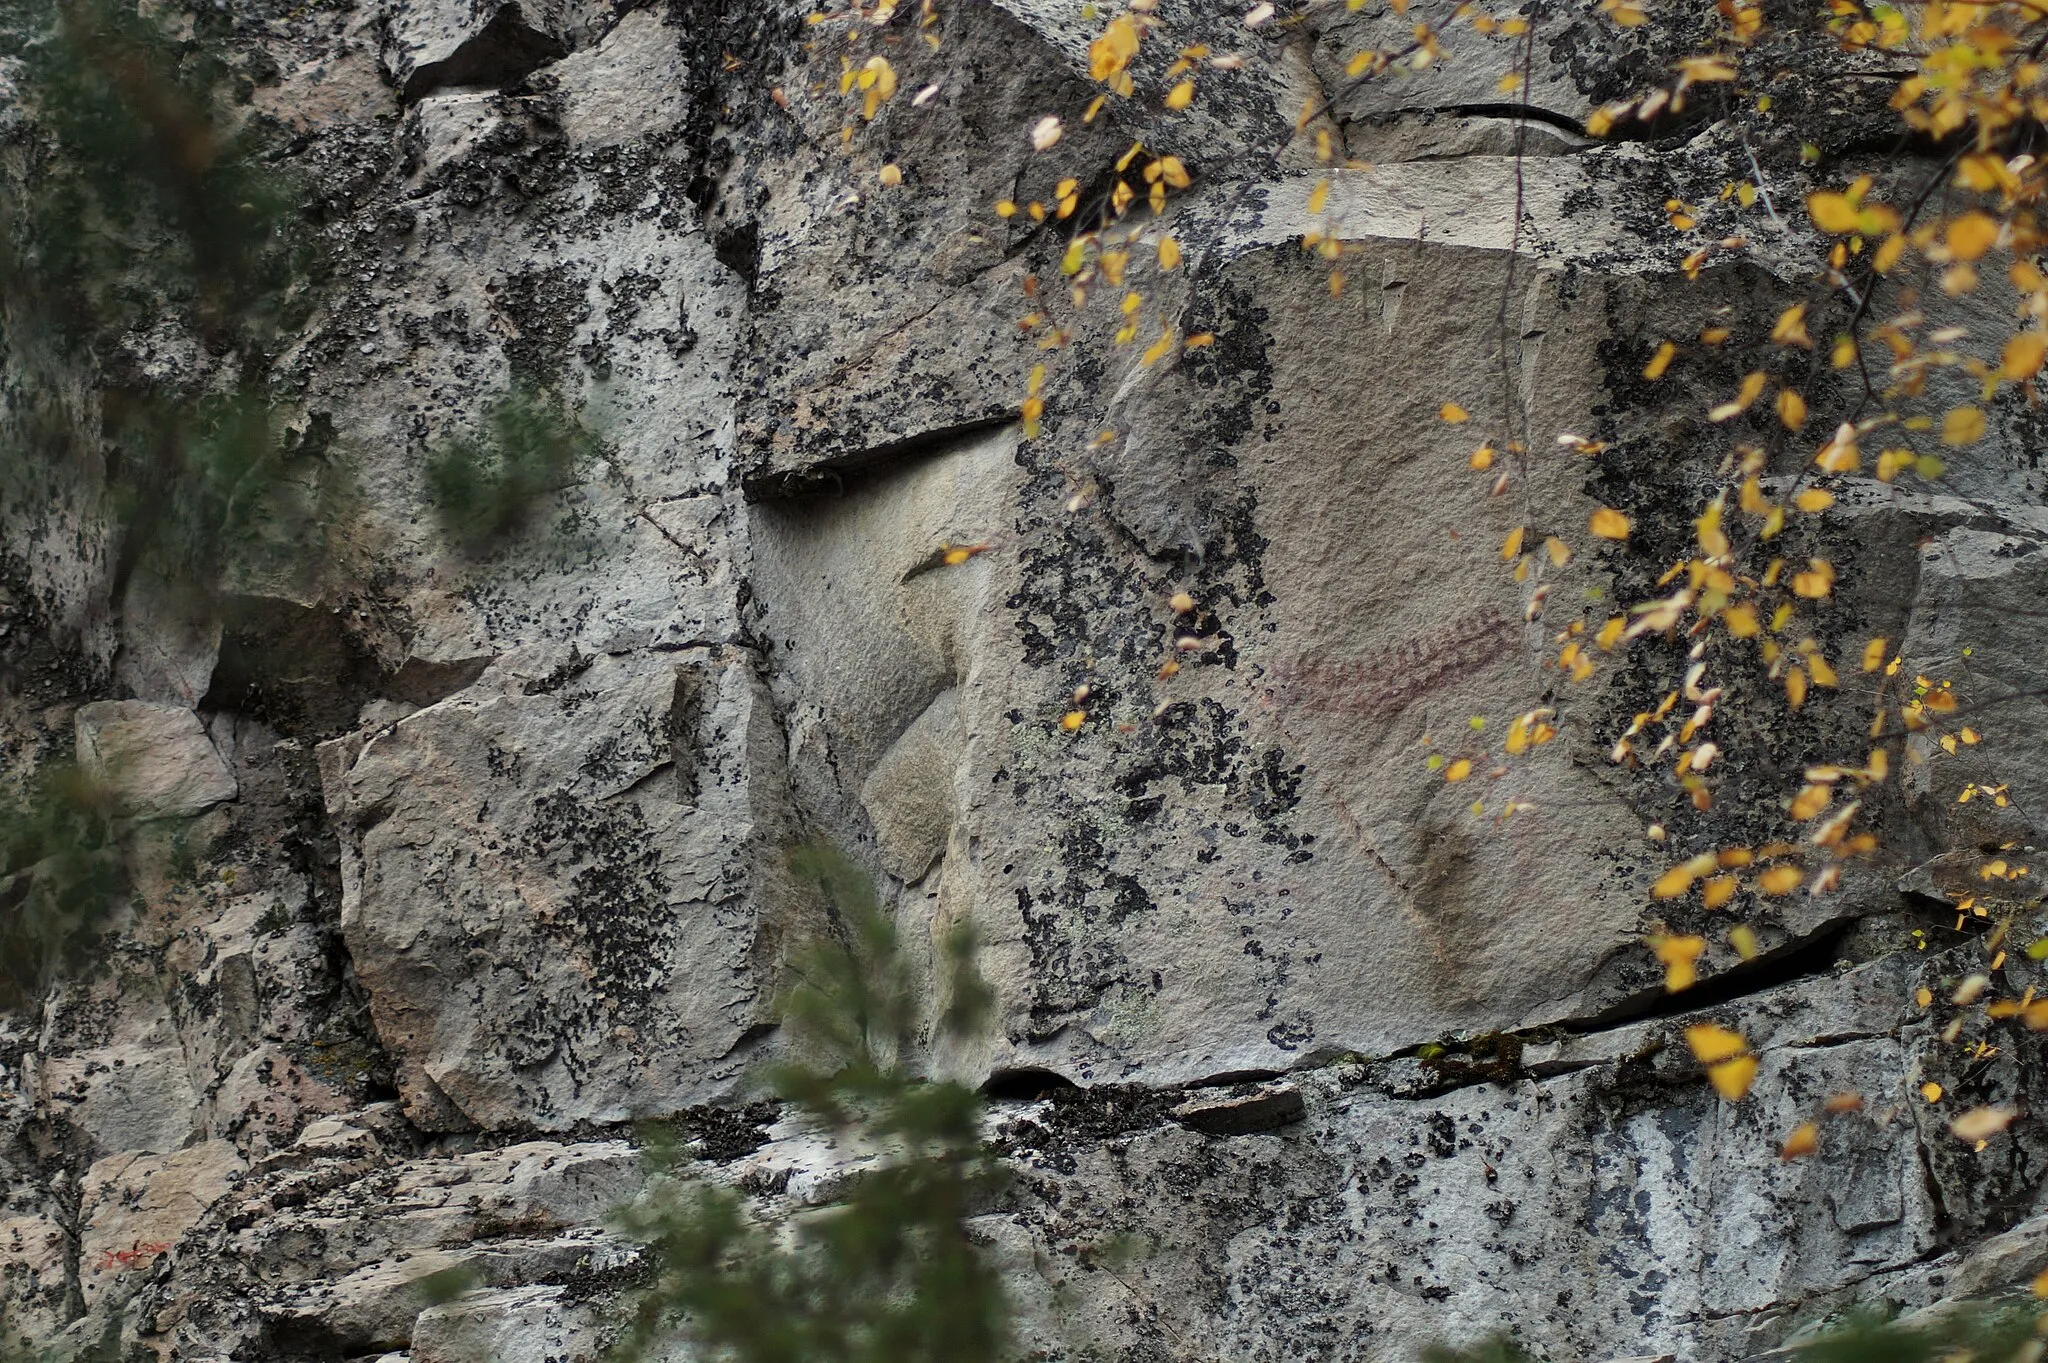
x,y
140,202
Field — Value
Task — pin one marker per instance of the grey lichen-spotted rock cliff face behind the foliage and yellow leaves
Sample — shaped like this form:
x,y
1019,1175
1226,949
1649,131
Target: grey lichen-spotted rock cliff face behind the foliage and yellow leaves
x,y
474,861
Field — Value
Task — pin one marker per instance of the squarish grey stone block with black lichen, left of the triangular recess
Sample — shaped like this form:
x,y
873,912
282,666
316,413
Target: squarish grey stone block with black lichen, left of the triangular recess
x,y
544,877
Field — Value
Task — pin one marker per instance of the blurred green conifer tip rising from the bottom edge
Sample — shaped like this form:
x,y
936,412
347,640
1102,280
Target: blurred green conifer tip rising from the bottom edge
x,y
894,1272
